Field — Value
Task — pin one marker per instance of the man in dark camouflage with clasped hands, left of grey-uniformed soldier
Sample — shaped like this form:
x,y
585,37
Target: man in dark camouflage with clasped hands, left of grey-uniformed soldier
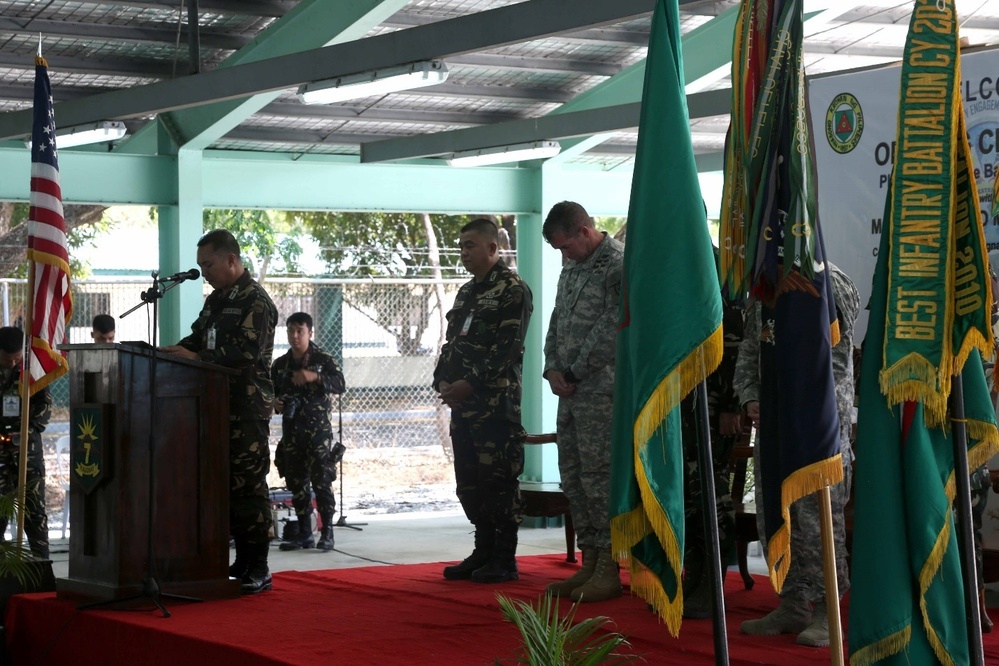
x,y
478,375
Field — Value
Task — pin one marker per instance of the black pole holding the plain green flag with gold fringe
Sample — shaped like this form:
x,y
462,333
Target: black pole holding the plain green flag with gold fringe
x,y
709,516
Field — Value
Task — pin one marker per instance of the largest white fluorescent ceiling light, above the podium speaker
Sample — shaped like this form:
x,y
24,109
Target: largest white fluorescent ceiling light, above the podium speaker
x,y
376,82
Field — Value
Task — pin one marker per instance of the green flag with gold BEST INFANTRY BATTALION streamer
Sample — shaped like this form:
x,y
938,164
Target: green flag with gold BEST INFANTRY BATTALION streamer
x,y
929,320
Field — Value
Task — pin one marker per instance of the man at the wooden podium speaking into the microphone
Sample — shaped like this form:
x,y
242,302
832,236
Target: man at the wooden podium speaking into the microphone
x,y
236,329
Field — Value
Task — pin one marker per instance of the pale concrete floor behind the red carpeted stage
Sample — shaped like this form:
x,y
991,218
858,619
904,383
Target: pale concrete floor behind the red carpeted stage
x,y
408,538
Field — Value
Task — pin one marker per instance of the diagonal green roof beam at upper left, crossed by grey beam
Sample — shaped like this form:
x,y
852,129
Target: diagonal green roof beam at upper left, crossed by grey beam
x,y
311,24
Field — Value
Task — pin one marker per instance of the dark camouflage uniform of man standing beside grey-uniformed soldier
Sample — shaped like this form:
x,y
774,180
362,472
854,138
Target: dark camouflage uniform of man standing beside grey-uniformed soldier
x,y
485,346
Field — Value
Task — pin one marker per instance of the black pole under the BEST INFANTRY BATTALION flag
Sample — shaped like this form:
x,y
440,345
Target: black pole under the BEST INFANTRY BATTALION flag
x,y
965,531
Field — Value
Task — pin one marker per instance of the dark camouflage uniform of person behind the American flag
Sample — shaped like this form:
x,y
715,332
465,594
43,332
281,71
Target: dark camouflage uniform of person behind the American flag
x,y
36,526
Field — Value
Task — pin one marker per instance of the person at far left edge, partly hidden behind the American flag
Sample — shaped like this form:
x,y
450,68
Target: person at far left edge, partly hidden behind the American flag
x,y
36,526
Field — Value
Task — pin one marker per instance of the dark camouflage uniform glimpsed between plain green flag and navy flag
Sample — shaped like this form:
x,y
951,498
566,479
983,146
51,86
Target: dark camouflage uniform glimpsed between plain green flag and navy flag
x,y
722,399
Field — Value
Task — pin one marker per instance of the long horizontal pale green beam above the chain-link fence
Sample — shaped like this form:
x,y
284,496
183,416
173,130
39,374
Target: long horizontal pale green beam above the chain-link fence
x,y
278,181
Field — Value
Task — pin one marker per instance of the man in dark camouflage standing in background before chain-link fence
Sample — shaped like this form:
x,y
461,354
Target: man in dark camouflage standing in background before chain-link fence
x,y
304,380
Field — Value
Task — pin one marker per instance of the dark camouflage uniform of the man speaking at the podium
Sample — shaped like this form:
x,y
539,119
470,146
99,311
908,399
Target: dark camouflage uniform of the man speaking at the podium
x,y
242,319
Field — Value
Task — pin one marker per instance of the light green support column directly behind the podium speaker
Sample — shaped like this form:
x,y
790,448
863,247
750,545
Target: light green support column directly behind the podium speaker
x,y
180,227
